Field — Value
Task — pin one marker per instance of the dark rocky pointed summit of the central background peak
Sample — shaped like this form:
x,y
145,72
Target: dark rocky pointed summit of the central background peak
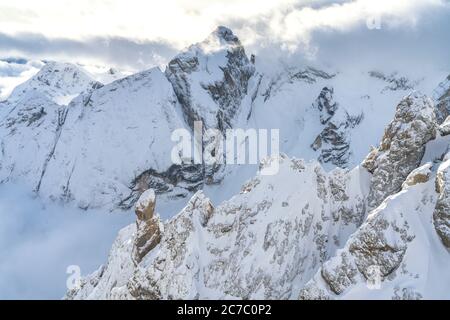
x,y
211,78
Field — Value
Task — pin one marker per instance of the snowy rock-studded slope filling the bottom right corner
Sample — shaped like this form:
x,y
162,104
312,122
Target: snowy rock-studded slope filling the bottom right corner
x,y
397,253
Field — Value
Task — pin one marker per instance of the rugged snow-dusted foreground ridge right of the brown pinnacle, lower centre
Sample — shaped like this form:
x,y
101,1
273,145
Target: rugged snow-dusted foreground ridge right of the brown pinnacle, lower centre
x,y
265,242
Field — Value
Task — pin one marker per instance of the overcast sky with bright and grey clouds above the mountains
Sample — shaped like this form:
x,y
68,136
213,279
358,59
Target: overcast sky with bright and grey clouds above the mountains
x,y
137,34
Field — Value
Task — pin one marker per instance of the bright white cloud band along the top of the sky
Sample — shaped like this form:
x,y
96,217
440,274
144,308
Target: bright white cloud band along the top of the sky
x,y
184,22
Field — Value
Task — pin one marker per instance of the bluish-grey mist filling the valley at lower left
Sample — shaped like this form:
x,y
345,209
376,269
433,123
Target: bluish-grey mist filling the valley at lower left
x,y
38,243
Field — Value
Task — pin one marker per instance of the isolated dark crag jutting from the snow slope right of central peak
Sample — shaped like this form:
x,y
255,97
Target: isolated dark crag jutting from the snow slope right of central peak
x,y
333,142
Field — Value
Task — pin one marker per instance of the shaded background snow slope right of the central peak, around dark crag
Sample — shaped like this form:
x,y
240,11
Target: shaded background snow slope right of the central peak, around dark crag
x,y
330,116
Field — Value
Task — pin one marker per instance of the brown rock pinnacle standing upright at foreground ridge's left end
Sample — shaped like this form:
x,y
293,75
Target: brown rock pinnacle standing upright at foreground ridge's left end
x,y
148,234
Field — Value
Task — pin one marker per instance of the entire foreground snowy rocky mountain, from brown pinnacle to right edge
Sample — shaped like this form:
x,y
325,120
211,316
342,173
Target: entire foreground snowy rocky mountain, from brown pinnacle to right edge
x,y
303,233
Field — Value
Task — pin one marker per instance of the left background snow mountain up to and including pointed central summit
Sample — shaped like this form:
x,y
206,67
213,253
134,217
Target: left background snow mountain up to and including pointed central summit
x,y
84,150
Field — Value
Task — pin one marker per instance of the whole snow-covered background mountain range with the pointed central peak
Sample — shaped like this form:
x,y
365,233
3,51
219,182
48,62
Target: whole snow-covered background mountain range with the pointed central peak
x,y
66,135
